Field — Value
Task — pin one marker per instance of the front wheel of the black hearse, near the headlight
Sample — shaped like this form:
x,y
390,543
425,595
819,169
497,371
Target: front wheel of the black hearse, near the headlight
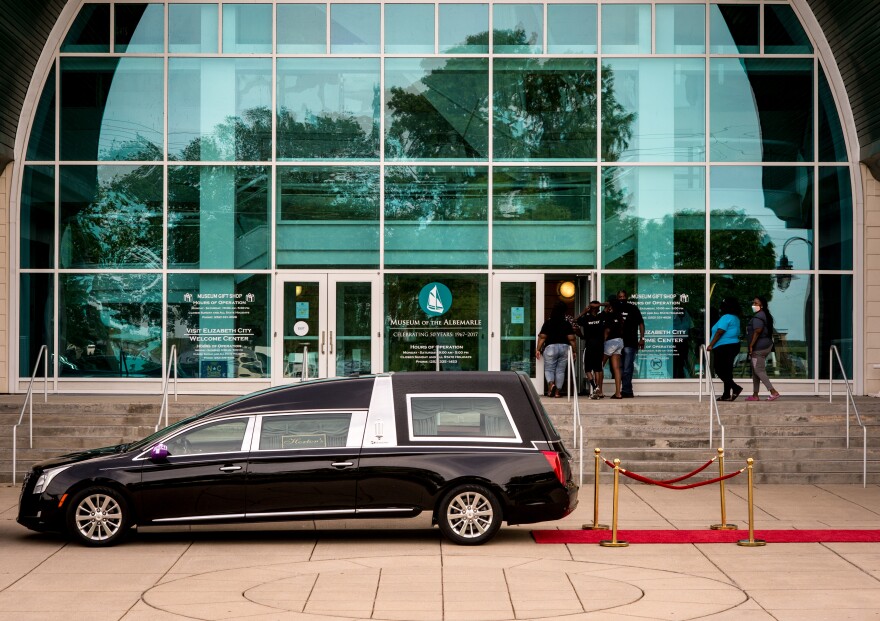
x,y
98,517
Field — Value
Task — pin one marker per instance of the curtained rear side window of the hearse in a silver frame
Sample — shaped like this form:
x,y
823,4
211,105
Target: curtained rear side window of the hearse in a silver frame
x,y
459,416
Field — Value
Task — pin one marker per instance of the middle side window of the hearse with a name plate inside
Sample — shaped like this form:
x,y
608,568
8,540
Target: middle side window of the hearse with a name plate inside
x,y
300,431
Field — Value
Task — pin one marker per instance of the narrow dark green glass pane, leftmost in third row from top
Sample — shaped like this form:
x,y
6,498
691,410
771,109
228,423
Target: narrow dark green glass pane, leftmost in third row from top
x,y
38,217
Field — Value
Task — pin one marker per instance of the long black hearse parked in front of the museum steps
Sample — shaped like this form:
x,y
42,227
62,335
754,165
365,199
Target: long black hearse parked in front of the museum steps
x,y
475,449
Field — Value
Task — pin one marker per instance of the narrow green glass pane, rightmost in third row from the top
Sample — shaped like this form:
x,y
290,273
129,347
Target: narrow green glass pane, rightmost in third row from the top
x,y
835,219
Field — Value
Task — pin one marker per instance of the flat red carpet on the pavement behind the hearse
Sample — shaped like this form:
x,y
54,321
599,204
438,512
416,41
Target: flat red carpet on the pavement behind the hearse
x,y
706,536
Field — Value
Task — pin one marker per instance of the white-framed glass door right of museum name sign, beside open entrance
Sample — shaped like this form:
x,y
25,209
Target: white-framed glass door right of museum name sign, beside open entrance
x,y
517,300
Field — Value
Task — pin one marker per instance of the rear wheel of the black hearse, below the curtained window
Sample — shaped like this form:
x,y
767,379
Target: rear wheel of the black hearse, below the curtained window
x,y
469,515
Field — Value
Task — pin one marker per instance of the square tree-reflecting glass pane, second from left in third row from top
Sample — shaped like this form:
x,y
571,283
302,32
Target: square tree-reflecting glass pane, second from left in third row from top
x,y
110,217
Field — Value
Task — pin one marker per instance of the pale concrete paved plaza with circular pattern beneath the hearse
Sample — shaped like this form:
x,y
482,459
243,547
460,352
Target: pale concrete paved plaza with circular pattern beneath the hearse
x,y
404,569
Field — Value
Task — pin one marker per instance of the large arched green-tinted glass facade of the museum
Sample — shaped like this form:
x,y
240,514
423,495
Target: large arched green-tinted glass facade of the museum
x,y
189,163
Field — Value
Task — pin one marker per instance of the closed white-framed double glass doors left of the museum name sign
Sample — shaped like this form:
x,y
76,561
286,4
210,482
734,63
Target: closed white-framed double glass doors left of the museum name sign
x,y
330,326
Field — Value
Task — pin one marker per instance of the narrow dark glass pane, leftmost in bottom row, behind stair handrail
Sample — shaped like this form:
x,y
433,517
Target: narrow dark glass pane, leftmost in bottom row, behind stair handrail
x,y
36,323
